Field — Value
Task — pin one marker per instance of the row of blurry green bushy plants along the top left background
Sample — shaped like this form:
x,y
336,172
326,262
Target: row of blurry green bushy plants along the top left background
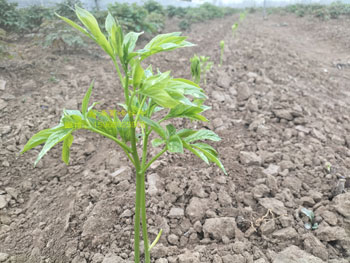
x,y
149,18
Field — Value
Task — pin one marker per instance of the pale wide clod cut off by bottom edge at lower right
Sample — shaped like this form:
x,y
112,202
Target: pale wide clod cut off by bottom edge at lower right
x,y
293,254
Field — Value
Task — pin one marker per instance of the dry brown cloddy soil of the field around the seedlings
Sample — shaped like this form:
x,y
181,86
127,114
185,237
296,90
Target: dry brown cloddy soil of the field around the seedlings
x,y
280,102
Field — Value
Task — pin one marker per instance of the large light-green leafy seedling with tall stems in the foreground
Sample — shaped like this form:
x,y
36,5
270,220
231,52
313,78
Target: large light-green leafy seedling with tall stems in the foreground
x,y
145,93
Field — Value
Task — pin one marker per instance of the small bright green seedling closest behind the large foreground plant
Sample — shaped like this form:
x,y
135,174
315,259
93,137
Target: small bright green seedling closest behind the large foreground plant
x,y
200,66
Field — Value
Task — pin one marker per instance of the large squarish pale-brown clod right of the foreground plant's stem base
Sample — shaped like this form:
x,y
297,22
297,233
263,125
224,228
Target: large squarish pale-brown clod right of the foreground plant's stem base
x,y
215,228
